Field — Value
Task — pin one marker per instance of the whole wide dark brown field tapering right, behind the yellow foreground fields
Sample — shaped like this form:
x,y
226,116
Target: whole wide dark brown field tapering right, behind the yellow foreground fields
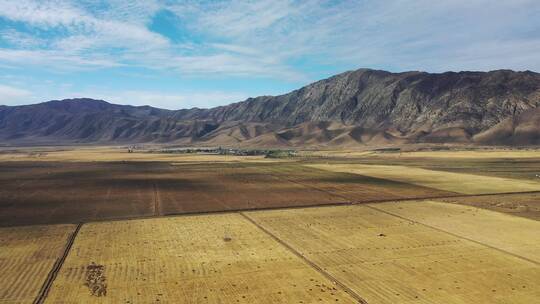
x,y
72,192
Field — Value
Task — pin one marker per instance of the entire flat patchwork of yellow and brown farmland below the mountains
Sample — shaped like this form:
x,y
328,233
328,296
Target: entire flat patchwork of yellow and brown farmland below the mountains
x,y
108,226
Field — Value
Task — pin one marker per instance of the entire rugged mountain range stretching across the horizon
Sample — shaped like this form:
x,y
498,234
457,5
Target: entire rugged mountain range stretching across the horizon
x,y
349,109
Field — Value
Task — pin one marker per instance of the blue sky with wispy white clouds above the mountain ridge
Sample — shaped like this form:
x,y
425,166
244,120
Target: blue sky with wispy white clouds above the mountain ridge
x,y
183,54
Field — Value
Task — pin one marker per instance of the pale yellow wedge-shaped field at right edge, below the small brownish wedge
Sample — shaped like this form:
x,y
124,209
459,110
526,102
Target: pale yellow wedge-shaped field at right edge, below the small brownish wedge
x,y
512,234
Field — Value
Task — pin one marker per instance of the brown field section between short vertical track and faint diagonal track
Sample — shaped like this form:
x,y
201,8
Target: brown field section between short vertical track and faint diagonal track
x,y
217,187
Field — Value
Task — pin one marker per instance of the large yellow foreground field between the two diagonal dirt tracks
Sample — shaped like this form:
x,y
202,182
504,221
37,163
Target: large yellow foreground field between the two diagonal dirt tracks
x,y
189,259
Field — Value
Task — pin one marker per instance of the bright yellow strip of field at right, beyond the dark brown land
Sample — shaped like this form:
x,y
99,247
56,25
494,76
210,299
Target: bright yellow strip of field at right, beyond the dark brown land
x,y
448,181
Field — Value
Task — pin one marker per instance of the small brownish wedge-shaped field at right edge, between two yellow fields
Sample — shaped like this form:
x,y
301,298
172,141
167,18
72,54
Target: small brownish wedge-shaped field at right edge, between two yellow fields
x,y
519,204
